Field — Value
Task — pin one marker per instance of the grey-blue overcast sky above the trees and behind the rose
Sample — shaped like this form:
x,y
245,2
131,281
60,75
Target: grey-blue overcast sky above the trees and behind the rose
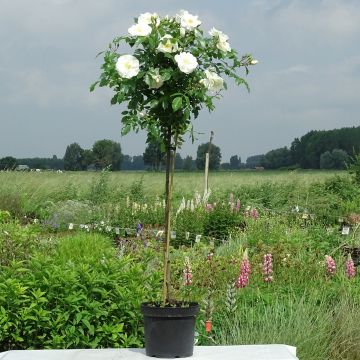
x,y
308,76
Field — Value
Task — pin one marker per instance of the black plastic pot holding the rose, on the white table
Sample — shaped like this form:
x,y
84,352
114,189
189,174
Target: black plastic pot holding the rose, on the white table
x,y
169,330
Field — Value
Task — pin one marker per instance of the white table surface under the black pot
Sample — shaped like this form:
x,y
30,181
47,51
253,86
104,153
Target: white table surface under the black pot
x,y
237,352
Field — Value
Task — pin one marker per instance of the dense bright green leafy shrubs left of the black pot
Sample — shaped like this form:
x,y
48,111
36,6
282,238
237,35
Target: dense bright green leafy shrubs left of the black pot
x,y
83,298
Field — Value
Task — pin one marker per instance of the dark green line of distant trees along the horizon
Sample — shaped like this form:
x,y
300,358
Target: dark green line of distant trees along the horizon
x,y
331,149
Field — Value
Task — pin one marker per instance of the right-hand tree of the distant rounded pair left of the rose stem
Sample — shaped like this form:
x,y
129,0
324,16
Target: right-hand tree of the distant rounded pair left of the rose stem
x,y
107,152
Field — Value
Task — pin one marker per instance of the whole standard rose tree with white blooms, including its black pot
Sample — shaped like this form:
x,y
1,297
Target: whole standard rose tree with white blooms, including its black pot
x,y
172,71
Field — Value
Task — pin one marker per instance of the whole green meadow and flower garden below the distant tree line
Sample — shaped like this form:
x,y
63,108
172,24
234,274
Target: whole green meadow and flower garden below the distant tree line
x,y
74,269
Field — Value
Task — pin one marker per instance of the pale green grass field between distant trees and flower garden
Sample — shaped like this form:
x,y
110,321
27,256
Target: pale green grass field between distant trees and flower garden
x,y
25,192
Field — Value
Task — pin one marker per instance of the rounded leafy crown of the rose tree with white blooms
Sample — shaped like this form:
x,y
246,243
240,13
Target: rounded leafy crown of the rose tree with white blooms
x,y
175,70
